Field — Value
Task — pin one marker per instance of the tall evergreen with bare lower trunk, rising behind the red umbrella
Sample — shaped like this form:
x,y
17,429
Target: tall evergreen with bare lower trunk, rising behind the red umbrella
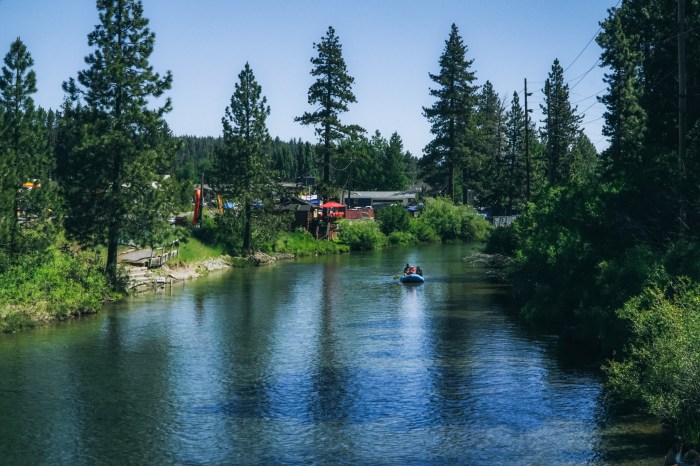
x,y
330,94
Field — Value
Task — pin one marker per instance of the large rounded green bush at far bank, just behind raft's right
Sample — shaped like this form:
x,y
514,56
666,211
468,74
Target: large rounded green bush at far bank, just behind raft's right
x,y
452,222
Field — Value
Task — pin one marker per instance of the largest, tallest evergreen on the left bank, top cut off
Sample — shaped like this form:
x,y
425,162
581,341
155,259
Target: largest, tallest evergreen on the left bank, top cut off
x,y
117,145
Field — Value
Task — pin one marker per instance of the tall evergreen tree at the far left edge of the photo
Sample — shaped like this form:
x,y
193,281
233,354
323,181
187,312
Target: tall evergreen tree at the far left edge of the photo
x,y
25,156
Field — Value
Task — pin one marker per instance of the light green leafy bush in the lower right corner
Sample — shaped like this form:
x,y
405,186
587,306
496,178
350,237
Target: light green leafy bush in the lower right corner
x,y
661,364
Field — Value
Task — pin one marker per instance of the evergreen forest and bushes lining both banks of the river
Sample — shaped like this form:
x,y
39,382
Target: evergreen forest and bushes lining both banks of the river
x,y
605,250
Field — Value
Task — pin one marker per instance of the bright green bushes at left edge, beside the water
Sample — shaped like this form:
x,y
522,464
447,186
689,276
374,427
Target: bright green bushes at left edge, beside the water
x,y
51,285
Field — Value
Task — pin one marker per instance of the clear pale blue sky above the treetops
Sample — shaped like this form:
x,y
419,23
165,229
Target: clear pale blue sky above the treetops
x,y
389,47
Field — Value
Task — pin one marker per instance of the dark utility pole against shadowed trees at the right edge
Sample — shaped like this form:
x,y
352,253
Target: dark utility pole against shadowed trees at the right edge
x,y
682,115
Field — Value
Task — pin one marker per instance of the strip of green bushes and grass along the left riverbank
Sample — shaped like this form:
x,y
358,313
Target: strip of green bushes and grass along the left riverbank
x,y
67,282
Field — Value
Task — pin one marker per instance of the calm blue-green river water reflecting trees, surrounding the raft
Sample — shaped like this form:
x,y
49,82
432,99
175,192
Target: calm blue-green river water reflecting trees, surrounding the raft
x,y
316,361
